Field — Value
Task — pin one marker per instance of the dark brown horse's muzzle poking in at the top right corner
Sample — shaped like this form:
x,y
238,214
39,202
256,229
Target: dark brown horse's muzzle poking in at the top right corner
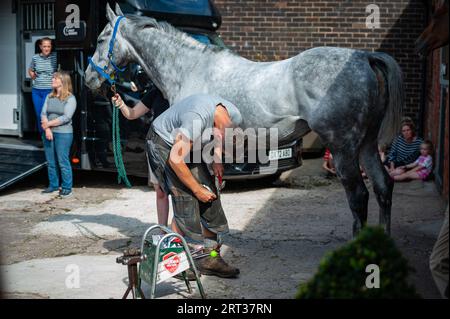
x,y
436,33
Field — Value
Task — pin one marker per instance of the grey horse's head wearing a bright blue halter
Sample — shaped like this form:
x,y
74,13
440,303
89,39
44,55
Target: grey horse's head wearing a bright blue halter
x,y
108,54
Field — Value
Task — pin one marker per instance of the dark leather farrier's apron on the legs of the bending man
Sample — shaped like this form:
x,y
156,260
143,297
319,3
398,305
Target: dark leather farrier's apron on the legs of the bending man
x,y
190,214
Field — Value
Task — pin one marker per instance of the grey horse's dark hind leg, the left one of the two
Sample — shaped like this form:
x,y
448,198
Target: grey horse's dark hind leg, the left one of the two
x,y
347,169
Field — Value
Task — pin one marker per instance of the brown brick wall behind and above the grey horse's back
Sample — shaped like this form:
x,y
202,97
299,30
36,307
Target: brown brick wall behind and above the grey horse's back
x,y
271,30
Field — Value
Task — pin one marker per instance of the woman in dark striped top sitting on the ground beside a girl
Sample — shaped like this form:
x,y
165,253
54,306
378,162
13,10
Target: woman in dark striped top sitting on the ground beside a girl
x,y
405,149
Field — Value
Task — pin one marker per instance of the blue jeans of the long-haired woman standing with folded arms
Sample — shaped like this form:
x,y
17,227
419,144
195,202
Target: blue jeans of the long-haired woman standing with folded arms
x,y
57,155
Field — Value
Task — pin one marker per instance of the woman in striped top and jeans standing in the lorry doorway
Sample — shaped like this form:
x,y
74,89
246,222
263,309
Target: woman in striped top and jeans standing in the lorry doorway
x,y
41,70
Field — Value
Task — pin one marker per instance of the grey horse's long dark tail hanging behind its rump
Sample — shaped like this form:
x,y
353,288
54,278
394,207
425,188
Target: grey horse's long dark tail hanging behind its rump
x,y
394,97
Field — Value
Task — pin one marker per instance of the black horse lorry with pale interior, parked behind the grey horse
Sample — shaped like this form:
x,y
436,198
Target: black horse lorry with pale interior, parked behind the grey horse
x,y
74,26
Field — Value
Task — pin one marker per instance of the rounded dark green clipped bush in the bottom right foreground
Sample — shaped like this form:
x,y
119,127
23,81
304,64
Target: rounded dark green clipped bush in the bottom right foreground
x,y
342,274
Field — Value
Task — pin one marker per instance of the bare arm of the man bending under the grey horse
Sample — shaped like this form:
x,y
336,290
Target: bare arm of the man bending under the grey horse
x,y
178,153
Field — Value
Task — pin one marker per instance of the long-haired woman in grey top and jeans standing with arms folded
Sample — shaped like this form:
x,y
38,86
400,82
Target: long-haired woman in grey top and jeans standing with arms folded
x,y
56,121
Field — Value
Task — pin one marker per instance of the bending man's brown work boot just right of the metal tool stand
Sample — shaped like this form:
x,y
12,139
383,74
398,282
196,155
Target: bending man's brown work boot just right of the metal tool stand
x,y
211,263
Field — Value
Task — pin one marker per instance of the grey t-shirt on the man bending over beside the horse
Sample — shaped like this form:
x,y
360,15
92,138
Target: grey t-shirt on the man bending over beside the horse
x,y
191,116
